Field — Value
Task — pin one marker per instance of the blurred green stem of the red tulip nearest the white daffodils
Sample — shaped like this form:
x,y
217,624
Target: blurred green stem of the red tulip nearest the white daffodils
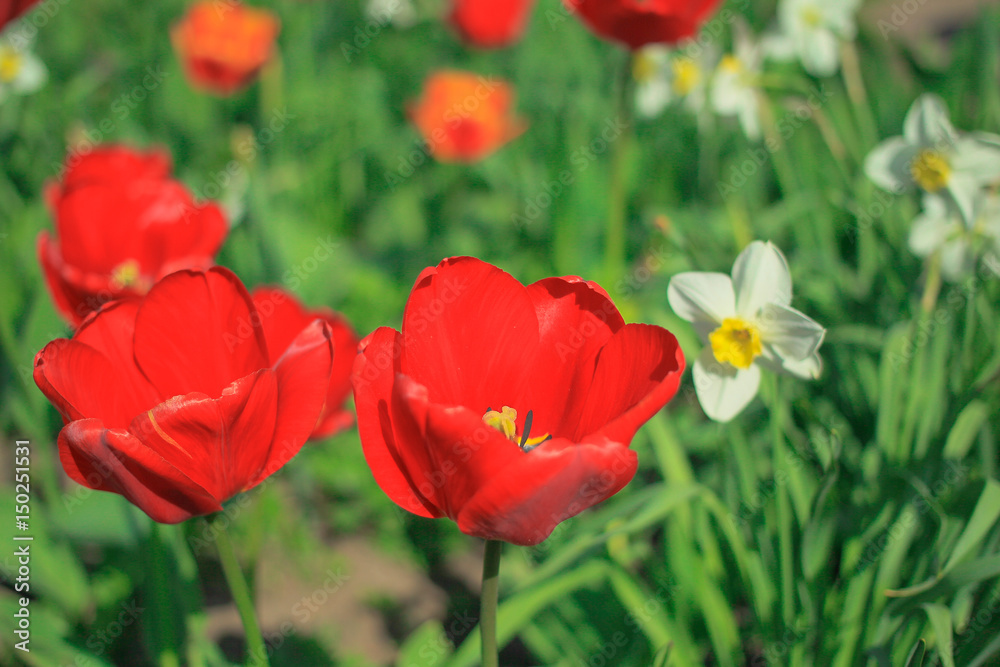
x,y
614,243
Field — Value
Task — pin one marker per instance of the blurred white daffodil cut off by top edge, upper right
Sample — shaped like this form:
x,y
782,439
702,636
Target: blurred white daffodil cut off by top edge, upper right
x,y
811,30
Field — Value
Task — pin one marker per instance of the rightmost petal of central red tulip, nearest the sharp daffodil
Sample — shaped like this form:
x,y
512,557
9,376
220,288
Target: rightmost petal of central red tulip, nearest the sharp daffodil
x,y
637,373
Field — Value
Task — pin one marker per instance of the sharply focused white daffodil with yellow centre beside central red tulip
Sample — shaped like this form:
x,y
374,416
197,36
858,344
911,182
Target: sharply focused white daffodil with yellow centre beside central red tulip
x,y
747,322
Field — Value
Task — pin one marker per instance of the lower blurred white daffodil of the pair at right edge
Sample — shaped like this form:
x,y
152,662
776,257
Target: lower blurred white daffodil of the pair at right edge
x,y
939,228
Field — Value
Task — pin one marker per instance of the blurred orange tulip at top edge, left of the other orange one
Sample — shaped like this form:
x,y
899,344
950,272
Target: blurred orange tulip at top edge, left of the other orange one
x,y
224,44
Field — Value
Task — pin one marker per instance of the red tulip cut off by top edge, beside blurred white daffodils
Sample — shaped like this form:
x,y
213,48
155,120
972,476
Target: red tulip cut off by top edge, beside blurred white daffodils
x,y
636,23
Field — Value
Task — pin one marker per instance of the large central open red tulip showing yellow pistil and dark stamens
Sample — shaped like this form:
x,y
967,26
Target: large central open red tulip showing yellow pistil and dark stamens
x,y
508,408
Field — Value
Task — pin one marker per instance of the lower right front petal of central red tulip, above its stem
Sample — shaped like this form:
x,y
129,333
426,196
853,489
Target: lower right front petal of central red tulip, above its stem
x,y
556,481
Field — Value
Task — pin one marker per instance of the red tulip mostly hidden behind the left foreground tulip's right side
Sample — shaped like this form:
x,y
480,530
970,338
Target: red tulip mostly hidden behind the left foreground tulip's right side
x,y
283,318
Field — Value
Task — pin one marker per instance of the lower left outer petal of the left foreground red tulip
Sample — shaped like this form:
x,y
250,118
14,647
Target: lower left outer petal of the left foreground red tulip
x,y
116,461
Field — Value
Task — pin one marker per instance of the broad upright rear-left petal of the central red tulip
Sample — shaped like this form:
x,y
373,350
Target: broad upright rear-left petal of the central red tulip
x,y
470,335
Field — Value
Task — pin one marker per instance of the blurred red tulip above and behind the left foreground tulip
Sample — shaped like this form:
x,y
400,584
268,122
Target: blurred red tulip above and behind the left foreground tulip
x,y
121,224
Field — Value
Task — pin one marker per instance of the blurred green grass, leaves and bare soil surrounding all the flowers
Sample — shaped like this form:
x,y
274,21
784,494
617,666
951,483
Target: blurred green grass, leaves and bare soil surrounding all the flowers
x,y
771,540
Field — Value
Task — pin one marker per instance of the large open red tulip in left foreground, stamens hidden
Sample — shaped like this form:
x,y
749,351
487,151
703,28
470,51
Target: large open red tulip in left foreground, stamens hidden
x,y
175,400
